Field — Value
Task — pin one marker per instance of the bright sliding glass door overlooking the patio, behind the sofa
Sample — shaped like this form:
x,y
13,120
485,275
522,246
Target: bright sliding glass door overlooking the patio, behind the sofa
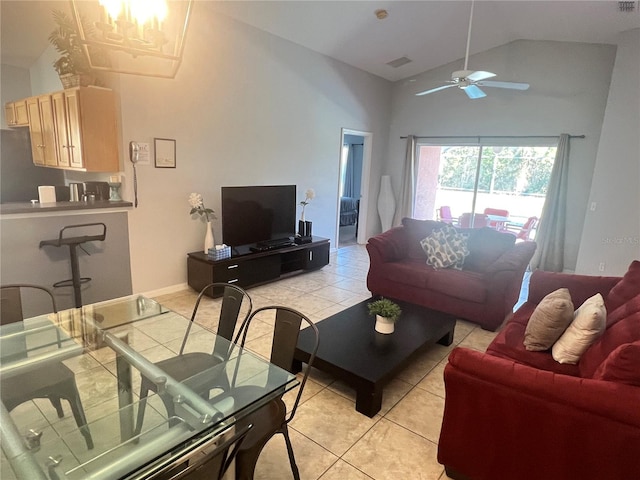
x,y
506,182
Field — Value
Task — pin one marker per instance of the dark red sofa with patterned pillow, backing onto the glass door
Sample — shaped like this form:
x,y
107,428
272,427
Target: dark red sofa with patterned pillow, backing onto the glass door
x,y
484,291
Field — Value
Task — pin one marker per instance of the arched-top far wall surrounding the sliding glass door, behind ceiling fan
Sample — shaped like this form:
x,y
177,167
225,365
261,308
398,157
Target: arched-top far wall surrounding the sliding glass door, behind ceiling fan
x,y
568,94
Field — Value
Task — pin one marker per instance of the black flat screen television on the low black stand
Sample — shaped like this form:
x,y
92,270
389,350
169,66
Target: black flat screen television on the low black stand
x,y
258,214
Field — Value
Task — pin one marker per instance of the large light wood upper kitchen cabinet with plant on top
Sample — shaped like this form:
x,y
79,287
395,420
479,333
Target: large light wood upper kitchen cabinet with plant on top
x,y
75,129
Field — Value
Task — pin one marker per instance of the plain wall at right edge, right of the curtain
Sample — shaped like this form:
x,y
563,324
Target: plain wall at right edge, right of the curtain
x,y
612,232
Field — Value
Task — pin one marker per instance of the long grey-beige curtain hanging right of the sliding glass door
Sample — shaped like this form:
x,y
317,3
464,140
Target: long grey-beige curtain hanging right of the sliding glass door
x,y
551,230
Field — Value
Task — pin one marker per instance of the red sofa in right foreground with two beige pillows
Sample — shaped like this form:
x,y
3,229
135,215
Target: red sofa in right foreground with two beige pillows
x,y
515,414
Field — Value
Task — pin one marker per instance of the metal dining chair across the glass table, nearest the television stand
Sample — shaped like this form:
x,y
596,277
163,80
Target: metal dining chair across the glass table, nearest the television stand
x,y
185,365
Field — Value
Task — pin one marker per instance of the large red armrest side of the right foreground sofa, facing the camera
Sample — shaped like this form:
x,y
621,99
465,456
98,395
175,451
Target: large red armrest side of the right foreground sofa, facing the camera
x,y
507,420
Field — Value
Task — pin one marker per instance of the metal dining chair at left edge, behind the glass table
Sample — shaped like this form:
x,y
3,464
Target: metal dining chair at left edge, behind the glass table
x,y
53,380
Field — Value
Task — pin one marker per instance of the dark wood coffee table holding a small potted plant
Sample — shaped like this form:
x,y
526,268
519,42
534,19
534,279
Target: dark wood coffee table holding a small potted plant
x,y
351,350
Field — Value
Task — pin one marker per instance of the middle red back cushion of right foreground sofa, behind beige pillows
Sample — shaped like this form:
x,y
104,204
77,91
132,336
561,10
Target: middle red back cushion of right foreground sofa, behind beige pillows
x,y
626,330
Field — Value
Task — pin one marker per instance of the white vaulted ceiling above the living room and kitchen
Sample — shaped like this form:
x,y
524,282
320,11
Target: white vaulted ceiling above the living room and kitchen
x,y
429,33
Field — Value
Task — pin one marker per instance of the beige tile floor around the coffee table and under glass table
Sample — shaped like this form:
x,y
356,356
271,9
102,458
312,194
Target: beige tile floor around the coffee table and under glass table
x,y
331,440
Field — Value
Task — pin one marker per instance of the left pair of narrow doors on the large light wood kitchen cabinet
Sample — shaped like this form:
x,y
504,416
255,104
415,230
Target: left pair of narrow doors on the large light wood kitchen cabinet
x,y
42,130
